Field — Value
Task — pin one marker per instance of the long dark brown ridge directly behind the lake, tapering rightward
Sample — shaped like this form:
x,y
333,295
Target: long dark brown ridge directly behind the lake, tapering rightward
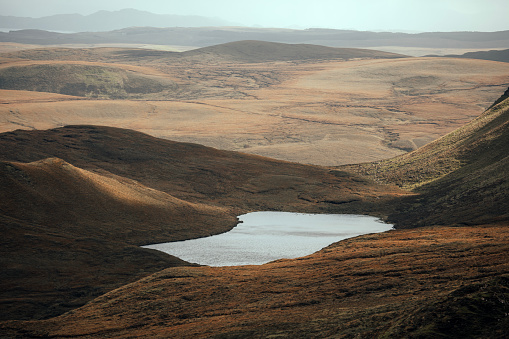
x,y
197,173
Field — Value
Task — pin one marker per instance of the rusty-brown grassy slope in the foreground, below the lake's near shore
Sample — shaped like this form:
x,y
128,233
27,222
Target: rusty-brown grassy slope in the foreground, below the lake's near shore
x,y
422,283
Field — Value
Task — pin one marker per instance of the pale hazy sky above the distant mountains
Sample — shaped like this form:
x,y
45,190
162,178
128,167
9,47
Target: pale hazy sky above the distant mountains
x,y
402,15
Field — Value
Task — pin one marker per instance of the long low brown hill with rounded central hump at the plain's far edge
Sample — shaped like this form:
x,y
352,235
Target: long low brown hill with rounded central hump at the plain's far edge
x,y
250,51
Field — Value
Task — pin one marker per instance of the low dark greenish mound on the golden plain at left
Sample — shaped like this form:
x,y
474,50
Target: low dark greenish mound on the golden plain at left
x,y
80,80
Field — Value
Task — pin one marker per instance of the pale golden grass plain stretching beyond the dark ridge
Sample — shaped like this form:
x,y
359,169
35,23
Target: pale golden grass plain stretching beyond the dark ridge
x,y
327,113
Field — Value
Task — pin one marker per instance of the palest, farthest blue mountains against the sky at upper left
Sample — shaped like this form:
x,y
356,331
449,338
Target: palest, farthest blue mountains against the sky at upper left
x,y
107,21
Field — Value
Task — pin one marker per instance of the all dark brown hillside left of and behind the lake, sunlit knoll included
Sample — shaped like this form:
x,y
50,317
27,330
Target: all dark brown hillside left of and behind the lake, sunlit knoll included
x,y
75,203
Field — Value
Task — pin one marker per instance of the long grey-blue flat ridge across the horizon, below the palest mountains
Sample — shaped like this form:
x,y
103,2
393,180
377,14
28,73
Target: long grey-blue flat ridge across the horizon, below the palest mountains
x,y
208,36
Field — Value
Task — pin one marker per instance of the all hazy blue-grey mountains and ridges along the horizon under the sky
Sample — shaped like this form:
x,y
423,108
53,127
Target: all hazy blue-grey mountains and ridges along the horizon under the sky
x,y
130,26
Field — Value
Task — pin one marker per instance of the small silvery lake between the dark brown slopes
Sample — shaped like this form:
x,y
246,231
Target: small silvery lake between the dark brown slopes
x,y
261,237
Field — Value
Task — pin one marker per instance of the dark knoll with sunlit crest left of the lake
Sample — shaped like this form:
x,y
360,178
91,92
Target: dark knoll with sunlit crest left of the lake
x,y
68,235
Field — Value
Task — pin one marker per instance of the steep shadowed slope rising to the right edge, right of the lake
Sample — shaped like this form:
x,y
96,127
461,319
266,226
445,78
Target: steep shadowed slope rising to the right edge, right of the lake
x,y
461,178
